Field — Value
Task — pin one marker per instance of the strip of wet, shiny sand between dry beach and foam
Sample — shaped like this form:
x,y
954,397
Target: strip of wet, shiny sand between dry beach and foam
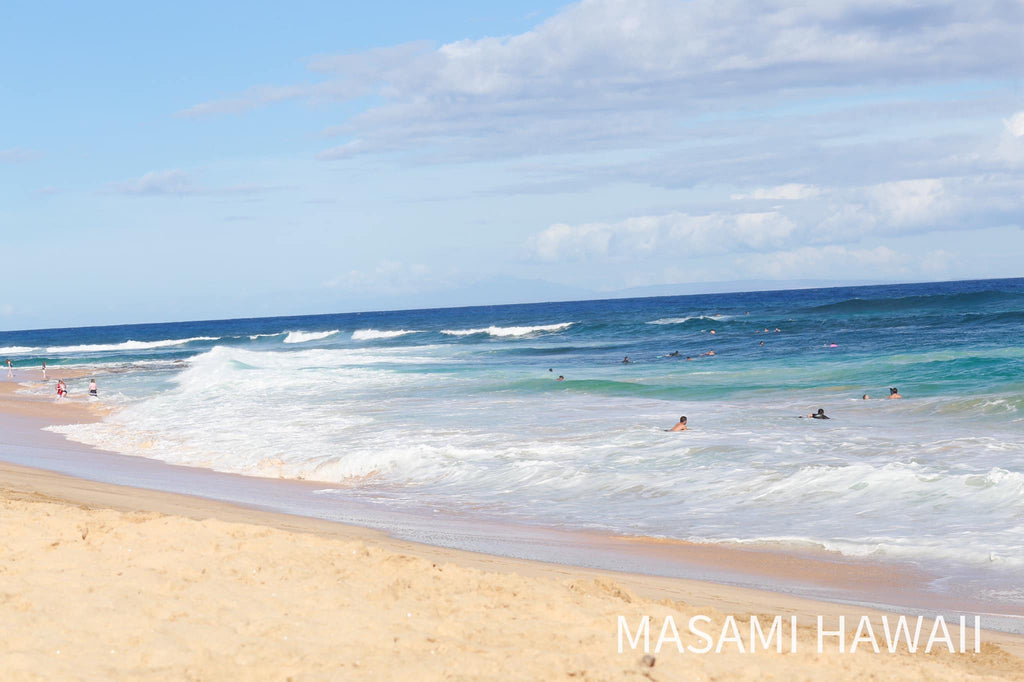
x,y
815,575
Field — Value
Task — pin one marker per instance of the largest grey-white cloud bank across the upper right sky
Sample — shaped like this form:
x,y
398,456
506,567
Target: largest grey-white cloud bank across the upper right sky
x,y
602,64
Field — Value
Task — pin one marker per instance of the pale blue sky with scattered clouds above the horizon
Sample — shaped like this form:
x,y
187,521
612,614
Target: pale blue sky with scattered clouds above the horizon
x,y
191,161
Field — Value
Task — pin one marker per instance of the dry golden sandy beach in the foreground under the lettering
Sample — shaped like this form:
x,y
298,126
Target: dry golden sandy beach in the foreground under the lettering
x,y
107,582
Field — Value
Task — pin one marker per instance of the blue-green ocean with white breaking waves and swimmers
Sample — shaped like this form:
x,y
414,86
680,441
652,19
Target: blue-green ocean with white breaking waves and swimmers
x,y
461,410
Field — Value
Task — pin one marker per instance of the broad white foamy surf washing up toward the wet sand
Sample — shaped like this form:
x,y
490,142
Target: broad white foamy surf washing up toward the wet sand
x,y
879,480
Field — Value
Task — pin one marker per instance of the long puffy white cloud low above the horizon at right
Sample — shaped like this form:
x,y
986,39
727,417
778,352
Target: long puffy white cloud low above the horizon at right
x,y
829,217
